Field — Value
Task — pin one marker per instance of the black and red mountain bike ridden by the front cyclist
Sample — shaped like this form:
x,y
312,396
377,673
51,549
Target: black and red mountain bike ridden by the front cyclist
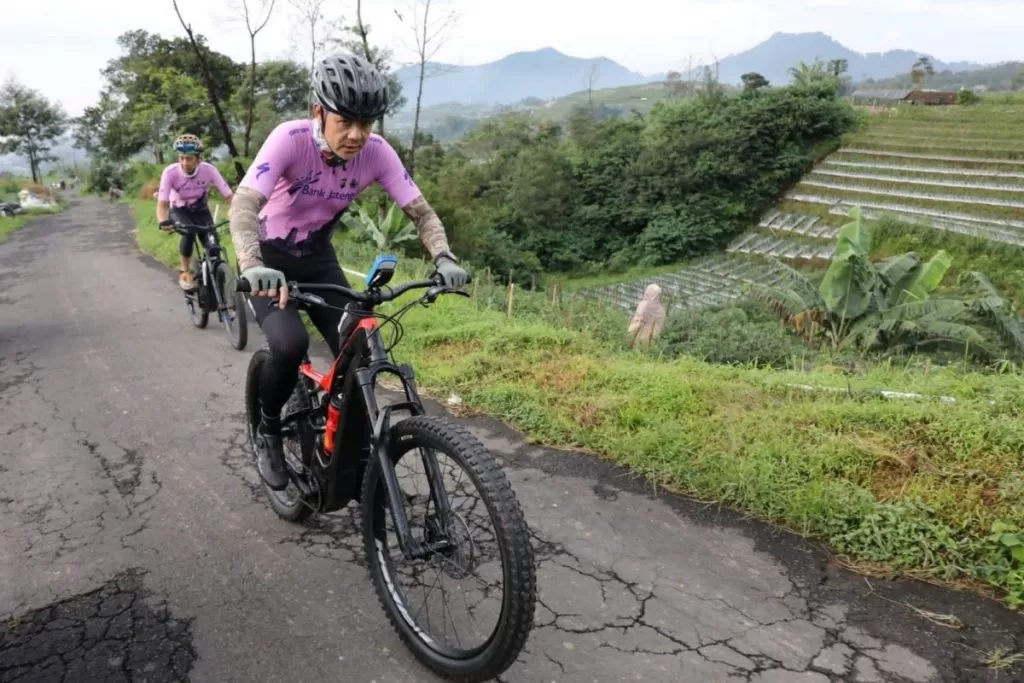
x,y
343,446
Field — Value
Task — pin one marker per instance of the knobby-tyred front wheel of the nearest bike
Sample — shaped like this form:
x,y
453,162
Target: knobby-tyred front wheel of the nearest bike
x,y
414,440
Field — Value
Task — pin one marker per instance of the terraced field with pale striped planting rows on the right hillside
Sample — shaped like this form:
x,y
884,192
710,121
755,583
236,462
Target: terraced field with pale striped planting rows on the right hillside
x,y
958,169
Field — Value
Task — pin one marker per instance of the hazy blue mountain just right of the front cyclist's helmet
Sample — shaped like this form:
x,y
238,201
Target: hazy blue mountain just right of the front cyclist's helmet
x,y
545,74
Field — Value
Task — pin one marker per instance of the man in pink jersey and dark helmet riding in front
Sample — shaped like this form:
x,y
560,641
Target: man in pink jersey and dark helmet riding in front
x,y
303,180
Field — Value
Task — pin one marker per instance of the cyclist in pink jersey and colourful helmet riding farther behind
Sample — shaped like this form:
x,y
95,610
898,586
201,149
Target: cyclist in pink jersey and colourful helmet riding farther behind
x,y
183,198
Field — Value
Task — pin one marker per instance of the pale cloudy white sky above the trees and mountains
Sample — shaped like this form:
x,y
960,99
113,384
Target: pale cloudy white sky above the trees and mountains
x,y
61,51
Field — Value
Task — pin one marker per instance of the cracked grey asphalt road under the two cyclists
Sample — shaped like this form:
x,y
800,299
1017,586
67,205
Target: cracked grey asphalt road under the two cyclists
x,y
136,544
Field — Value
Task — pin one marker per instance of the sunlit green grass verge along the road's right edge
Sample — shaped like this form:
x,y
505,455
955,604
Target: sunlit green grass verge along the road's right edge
x,y
930,488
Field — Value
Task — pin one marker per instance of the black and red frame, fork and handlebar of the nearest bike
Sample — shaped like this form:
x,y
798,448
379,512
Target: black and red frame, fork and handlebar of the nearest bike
x,y
363,434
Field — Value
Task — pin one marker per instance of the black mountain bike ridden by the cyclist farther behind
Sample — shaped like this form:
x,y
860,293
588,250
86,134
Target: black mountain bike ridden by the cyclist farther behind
x,y
215,282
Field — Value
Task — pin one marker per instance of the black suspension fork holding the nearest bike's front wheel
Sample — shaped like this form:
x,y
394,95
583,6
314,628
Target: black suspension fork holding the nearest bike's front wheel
x,y
381,442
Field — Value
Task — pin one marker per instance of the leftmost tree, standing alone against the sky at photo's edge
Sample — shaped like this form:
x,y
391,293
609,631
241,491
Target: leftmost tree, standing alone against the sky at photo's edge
x,y
29,122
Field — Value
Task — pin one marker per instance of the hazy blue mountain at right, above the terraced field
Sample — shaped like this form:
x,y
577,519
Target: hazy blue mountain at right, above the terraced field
x,y
775,57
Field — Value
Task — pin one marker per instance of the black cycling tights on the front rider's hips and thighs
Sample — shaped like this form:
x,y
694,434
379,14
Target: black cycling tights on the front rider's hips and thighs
x,y
285,333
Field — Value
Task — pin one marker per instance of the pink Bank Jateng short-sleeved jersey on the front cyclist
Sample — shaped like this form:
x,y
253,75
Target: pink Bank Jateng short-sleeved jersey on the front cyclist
x,y
306,196
